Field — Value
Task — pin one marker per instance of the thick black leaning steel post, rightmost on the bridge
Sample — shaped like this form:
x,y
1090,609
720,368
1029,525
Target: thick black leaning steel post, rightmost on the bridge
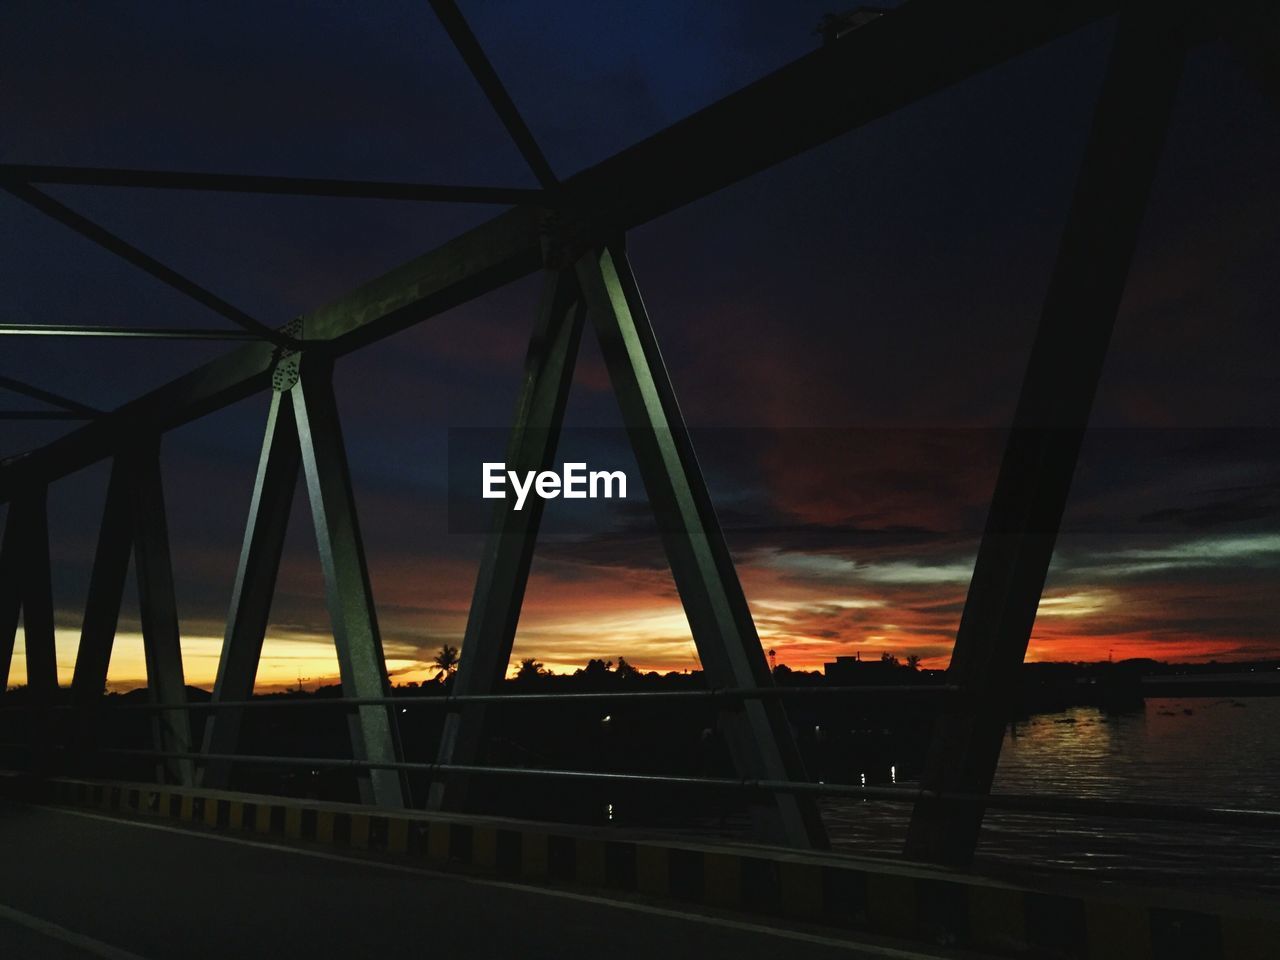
x,y
1053,414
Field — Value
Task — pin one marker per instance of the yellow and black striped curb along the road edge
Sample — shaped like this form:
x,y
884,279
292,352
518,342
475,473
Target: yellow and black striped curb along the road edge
x,y
932,906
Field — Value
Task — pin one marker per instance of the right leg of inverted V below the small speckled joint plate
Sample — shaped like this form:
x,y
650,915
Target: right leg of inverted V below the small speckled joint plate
x,y
350,600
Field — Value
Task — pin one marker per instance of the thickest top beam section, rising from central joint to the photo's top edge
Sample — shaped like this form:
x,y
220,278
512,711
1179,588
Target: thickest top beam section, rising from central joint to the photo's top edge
x,y
911,53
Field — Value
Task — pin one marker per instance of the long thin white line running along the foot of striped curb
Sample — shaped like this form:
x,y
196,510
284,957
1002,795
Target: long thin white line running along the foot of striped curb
x,y
801,936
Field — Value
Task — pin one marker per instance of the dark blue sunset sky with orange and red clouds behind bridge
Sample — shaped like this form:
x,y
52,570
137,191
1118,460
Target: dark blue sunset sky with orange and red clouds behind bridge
x,y
847,332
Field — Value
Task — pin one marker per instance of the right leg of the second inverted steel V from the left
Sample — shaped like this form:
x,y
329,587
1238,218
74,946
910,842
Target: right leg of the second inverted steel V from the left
x,y
158,611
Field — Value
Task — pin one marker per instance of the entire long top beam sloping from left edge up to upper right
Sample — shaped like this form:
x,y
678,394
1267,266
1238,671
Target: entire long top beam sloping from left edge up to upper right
x,y
918,49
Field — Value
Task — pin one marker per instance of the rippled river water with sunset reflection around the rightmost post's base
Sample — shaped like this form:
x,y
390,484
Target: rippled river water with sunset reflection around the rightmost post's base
x,y
1220,753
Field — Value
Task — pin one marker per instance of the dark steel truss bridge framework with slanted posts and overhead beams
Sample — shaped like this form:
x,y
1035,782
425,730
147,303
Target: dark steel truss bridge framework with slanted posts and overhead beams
x,y
573,232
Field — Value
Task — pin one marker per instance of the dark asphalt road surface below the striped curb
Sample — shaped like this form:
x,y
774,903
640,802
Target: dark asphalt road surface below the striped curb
x,y
76,885
